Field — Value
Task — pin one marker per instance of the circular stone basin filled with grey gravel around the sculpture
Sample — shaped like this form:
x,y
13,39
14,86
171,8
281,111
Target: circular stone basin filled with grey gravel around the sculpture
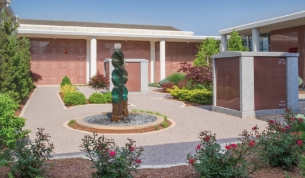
x,y
132,122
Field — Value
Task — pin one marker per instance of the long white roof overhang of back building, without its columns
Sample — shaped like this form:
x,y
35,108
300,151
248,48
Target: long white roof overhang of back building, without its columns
x,y
49,31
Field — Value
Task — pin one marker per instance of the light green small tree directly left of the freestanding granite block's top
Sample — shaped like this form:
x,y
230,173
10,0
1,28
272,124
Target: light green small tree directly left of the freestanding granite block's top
x,y
207,48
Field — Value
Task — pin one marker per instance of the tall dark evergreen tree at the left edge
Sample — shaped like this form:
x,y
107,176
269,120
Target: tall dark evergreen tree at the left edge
x,y
15,79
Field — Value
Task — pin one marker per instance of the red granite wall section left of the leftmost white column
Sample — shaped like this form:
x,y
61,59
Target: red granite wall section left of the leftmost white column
x,y
51,62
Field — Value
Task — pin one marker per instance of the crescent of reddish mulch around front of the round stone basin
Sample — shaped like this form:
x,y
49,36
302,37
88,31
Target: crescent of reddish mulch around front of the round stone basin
x,y
149,129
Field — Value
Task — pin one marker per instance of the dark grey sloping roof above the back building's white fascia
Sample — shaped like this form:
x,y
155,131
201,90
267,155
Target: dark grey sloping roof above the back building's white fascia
x,y
95,24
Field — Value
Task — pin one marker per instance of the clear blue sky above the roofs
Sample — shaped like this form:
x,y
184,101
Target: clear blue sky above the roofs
x,y
203,17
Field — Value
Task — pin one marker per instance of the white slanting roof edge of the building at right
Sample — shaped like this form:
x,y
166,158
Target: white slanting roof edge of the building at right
x,y
265,26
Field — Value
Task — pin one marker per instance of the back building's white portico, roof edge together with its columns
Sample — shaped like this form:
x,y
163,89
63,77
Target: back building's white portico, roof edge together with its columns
x,y
93,32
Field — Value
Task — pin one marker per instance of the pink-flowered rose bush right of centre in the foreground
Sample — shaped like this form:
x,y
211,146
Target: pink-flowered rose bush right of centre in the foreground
x,y
210,161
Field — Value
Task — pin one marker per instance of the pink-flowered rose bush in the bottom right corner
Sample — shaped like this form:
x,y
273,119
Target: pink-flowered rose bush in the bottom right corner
x,y
279,145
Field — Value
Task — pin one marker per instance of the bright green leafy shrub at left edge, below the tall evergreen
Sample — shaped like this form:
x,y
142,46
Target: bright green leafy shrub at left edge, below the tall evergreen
x,y
10,125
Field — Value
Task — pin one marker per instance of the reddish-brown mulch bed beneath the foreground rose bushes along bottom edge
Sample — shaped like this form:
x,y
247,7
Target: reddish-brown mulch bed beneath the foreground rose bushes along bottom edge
x,y
80,168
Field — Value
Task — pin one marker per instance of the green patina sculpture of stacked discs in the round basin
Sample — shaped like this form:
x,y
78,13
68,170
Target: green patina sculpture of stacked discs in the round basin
x,y
119,79
